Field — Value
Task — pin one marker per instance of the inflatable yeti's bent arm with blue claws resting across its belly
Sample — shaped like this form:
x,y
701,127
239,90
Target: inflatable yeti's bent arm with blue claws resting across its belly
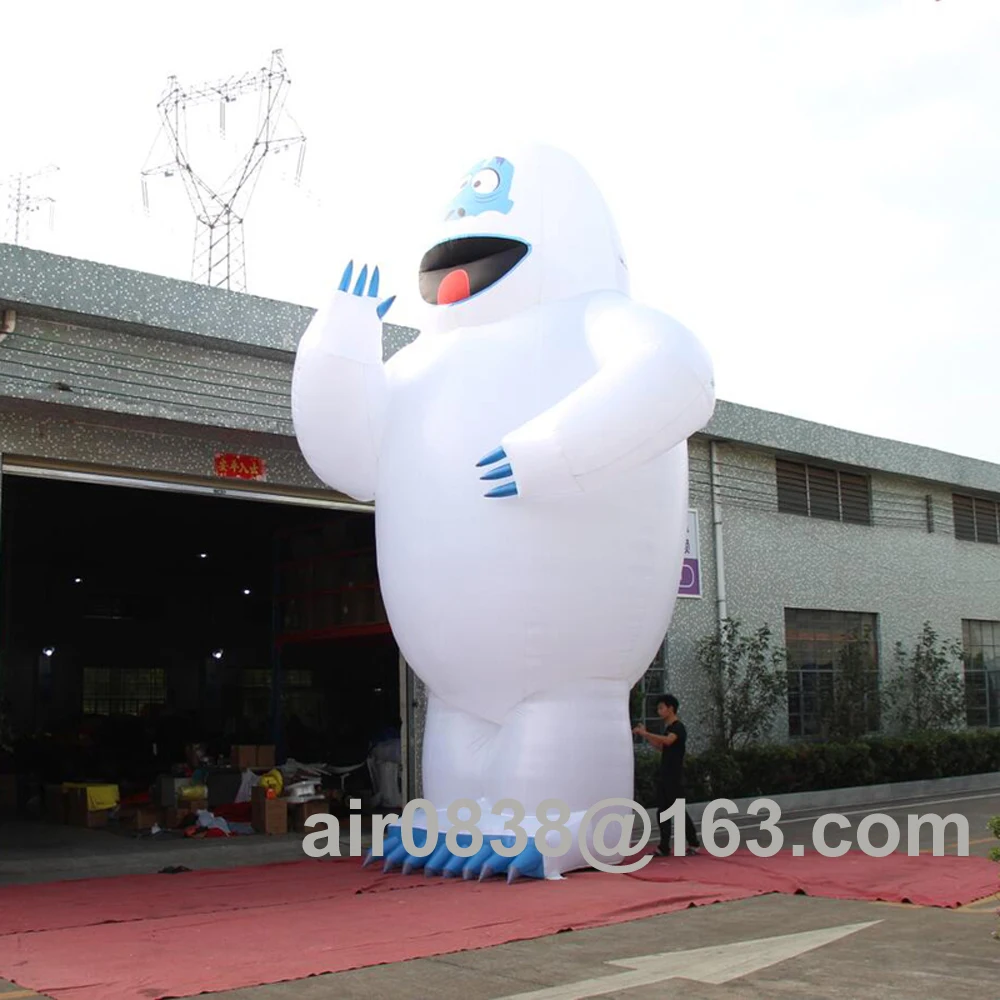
x,y
654,388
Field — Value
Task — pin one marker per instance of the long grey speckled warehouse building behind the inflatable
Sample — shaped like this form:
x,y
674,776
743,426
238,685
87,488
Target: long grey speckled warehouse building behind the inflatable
x,y
172,570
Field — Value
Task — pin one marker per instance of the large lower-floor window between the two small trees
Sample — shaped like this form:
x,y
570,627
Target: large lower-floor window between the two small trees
x,y
832,673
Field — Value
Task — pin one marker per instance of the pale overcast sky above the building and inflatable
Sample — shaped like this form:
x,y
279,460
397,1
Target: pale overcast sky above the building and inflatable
x,y
813,187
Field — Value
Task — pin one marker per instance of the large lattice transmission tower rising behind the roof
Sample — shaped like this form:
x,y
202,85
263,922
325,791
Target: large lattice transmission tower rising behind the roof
x,y
220,210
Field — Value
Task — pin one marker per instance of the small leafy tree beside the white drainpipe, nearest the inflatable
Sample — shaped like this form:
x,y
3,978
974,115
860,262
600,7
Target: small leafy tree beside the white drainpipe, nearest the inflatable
x,y
747,681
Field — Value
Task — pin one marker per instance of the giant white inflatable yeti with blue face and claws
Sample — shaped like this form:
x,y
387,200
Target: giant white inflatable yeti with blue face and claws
x,y
528,461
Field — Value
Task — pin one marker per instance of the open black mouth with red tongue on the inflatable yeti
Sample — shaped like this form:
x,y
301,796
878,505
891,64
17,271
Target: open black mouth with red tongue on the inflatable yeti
x,y
460,268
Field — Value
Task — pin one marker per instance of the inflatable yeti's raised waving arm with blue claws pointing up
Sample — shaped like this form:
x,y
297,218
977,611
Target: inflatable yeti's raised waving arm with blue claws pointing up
x,y
339,388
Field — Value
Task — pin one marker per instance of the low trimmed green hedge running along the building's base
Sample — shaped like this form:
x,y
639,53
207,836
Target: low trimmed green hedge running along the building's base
x,y
811,767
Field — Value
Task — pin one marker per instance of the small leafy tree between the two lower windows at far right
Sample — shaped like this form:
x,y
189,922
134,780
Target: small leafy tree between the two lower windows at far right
x,y
928,690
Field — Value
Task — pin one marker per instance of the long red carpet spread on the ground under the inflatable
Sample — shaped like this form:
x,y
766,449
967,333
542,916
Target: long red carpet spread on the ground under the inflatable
x,y
156,936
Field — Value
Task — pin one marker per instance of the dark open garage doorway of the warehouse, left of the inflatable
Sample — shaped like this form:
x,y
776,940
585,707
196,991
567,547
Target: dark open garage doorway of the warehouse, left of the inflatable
x,y
143,613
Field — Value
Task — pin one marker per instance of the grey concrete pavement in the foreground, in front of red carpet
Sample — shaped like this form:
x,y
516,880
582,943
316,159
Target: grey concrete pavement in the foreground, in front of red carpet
x,y
891,959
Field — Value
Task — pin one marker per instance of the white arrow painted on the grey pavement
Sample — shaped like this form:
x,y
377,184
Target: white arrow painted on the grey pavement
x,y
716,964
